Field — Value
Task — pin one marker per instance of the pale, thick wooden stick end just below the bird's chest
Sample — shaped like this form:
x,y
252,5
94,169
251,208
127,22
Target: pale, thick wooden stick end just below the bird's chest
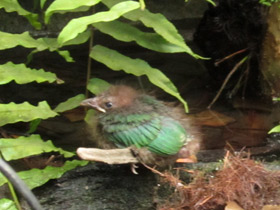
x,y
109,156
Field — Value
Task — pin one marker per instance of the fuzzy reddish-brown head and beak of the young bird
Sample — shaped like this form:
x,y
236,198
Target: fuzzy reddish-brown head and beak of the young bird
x,y
115,98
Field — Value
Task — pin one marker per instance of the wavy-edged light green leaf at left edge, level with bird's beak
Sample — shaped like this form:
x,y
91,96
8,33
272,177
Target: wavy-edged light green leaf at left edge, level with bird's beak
x,y
25,112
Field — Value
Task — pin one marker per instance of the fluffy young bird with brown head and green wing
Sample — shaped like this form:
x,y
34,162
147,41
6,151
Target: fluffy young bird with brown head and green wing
x,y
127,117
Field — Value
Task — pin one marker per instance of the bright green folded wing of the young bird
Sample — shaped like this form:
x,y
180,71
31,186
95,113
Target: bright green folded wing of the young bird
x,y
161,135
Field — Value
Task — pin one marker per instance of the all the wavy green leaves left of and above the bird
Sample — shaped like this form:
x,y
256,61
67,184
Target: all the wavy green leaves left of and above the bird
x,y
119,23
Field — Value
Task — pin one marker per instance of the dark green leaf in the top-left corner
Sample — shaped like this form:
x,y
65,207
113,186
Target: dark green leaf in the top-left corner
x,y
14,6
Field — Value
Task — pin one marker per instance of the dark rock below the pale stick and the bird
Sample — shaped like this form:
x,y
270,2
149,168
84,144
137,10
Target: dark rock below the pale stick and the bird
x,y
99,186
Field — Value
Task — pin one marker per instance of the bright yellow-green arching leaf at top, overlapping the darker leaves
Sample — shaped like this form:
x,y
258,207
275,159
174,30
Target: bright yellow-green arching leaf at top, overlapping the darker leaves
x,y
79,25
